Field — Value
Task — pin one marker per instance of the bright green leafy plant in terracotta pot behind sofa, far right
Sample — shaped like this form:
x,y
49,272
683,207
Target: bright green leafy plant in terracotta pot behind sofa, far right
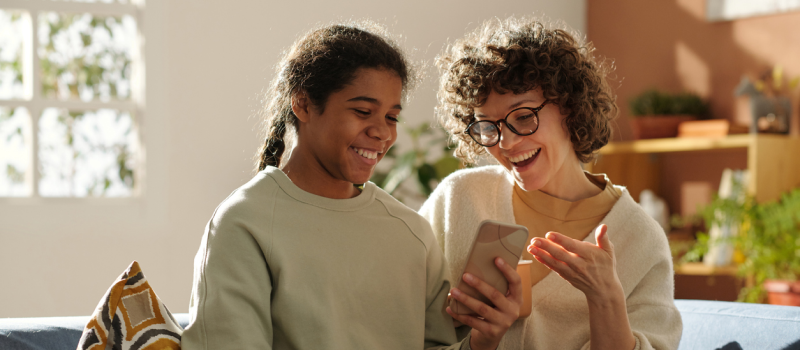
x,y
768,242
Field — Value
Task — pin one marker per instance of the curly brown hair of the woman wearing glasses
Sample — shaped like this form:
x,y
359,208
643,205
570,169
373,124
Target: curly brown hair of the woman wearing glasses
x,y
519,55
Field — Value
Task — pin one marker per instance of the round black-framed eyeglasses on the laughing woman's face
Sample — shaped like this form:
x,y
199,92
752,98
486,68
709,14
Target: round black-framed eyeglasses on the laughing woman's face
x,y
522,121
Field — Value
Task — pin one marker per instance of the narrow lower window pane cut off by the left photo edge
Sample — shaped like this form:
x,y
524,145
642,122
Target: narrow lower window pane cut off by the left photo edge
x,y
15,152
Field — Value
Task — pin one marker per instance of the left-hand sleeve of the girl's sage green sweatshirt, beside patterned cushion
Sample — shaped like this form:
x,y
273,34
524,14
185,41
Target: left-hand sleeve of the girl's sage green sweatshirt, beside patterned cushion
x,y
230,303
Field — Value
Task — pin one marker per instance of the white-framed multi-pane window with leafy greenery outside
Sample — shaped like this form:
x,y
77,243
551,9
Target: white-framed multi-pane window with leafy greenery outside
x,y
71,88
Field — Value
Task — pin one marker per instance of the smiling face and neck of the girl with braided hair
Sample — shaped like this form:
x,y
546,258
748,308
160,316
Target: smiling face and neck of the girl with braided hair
x,y
342,143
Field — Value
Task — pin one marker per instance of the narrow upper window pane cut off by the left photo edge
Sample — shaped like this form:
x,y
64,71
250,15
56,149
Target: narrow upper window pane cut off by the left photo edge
x,y
13,30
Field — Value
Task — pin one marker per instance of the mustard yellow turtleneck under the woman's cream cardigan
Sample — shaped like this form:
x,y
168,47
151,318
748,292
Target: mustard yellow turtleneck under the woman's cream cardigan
x,y
542,213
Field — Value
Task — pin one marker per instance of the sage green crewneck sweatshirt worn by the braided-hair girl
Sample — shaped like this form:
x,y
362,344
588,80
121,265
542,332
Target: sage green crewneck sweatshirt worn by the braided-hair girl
x,y
281,268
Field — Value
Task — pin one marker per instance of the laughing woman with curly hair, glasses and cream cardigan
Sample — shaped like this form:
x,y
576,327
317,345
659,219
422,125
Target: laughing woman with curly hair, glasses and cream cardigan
x,y
538,102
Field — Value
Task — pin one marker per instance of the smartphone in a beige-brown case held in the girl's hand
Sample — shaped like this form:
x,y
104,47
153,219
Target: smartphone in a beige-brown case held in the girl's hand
x,y
494,240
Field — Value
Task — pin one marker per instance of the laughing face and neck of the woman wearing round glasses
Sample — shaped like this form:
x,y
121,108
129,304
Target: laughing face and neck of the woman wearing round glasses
x,y
543,161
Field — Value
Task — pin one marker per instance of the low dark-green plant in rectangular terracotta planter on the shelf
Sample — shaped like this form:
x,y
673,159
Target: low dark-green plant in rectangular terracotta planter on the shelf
x,y
657,114
